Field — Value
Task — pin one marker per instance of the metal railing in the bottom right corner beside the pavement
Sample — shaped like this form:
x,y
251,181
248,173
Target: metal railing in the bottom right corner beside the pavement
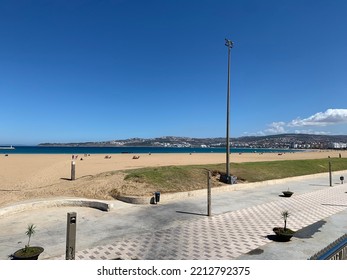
x,y
335,251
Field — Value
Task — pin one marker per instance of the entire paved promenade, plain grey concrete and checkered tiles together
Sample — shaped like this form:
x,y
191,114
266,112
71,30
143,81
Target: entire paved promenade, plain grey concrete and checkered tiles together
x,y
178,229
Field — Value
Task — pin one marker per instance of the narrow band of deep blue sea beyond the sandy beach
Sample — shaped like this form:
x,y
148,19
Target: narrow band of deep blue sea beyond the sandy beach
x,y
132,150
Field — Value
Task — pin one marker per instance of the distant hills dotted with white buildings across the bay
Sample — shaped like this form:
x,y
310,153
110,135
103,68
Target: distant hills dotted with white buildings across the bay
x,y
268,141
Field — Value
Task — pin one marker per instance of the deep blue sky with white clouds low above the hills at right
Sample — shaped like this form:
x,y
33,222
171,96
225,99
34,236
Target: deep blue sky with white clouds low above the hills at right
x,y
74,71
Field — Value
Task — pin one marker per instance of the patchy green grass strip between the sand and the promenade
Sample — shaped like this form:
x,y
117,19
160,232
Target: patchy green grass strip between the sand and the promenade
x,y
192,177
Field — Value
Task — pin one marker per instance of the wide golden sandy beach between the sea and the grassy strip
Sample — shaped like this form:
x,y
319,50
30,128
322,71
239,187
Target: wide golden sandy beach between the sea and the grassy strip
x,y
28,176
